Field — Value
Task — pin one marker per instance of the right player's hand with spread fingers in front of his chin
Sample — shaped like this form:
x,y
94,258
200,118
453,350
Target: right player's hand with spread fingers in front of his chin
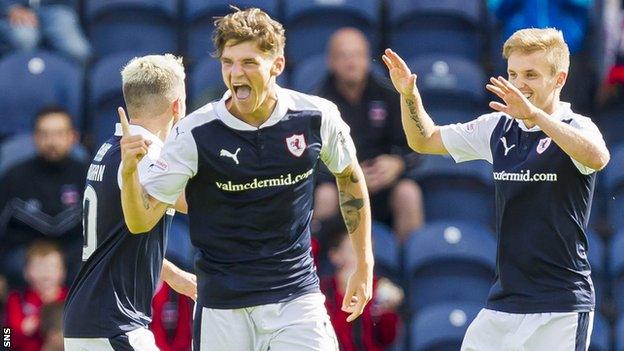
x,y
516,104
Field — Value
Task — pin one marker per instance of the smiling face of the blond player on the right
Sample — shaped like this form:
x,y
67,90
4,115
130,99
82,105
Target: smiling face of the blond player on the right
x,y
532,75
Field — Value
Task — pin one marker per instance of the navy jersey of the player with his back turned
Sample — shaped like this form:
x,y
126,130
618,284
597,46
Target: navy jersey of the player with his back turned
x,y
112,294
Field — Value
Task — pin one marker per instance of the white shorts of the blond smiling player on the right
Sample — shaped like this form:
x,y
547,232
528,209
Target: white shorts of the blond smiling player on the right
x,y
500,331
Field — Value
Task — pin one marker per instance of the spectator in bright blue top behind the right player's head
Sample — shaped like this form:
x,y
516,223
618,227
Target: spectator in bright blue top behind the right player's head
x,y
572,18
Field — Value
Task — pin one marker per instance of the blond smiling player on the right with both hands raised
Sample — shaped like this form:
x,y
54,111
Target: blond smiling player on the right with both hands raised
x,y
545,159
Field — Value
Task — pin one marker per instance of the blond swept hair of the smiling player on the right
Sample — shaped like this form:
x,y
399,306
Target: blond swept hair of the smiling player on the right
x,y
549,40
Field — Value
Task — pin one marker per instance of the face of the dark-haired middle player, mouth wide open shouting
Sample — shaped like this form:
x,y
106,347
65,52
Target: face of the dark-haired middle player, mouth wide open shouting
x,y
249,73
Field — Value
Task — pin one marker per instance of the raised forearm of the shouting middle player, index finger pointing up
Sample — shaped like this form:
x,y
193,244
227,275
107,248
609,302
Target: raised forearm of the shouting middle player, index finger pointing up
x,y
141,211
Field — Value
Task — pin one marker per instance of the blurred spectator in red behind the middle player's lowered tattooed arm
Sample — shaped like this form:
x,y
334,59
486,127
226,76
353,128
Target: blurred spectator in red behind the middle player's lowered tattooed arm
x,y
379,323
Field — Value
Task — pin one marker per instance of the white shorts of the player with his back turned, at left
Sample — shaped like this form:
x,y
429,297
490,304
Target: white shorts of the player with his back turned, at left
x,y
137,340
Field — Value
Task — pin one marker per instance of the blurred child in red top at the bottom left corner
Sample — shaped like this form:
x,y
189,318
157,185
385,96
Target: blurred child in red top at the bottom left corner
x,y
45,275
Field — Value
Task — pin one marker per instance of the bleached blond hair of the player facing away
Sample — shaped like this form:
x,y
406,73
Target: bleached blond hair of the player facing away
x,y
151,83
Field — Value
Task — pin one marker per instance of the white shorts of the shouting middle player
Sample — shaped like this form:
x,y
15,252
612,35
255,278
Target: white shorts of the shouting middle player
x,y
301,324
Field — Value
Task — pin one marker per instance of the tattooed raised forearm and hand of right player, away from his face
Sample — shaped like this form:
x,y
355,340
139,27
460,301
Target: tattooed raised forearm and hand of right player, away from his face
x,y
422,134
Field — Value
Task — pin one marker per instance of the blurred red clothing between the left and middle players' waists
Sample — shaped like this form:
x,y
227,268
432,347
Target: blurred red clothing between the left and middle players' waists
x,y
172,320
